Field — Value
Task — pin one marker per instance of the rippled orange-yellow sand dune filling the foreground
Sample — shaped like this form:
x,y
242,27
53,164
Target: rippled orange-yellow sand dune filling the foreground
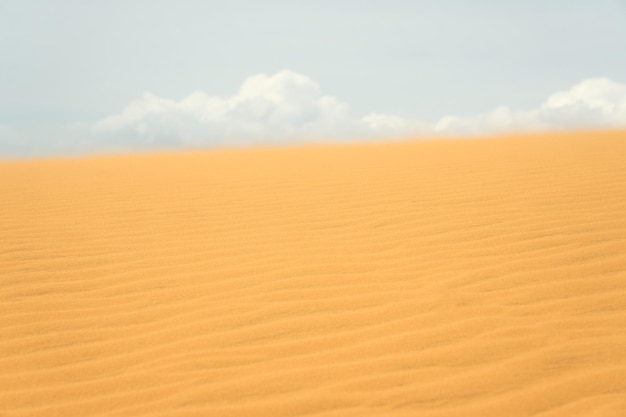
x,y
438,278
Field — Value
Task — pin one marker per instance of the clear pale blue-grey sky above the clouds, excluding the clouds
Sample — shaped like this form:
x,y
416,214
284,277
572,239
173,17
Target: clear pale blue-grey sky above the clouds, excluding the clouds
x,y
66,65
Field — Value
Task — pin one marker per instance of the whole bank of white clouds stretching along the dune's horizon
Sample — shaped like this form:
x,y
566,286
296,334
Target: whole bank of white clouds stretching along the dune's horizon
x,y
290,107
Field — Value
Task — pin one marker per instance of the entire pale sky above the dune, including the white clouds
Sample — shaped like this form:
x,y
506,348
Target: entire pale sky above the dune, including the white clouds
x,y
86,76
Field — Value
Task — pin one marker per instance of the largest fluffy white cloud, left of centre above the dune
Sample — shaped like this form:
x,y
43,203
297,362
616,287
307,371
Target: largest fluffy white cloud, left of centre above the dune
x,y
278,107
